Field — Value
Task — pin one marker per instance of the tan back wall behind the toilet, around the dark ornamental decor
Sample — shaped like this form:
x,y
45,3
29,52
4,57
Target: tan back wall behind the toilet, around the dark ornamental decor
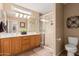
x,y
70,10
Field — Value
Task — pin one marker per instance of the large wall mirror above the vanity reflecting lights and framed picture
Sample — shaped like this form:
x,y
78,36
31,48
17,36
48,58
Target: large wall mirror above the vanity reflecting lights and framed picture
x,y
18,19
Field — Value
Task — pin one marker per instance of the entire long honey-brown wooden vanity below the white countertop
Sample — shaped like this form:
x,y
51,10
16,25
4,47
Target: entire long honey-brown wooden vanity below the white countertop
x,y
19,44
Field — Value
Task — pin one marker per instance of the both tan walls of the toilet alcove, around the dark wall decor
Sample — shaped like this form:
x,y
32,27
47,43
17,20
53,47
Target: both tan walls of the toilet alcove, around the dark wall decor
x,y
62,32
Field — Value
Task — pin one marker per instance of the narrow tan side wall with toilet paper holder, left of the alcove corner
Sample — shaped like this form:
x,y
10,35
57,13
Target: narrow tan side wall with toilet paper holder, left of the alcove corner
x,y
59,28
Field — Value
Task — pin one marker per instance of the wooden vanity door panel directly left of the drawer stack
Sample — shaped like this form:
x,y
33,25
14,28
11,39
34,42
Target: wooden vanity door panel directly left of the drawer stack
x,y
15,45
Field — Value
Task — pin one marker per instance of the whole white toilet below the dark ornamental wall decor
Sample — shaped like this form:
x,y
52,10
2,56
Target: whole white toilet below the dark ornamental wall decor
x,y
71,47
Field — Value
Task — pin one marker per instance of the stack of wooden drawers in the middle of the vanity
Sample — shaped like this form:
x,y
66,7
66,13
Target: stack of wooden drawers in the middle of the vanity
x,y
25,43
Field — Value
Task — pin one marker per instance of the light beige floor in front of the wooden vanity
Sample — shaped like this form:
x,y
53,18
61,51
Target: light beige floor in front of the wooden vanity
x,y
38,52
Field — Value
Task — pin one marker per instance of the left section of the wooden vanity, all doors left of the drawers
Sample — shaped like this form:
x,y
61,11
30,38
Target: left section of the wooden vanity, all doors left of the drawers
x,y
10,46
